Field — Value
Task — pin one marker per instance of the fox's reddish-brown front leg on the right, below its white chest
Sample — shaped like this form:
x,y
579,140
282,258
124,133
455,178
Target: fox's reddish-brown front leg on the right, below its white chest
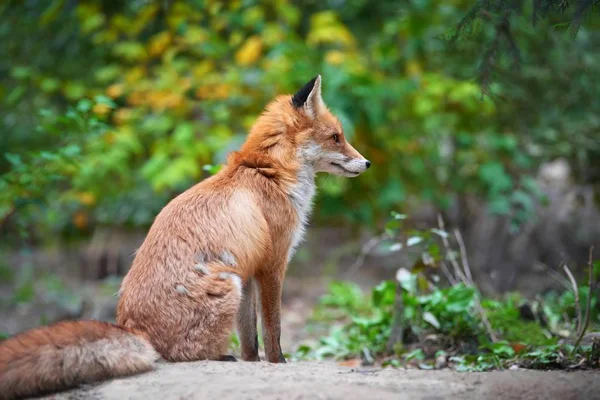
x,y
270,285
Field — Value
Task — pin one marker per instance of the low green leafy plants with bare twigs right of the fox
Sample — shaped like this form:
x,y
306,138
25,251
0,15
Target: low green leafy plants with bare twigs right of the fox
x,y
450,320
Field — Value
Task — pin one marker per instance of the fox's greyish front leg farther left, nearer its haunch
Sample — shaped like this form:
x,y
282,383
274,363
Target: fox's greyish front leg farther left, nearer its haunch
x,y
246,322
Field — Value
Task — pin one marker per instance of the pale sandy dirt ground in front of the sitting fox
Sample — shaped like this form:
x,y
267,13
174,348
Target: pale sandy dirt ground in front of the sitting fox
x,y
321,380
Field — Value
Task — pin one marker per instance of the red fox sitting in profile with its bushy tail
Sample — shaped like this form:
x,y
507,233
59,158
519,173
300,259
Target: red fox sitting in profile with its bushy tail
x,y
212,255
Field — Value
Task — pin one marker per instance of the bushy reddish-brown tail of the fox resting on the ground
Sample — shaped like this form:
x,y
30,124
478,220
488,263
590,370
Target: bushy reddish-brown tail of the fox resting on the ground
x,y
66,354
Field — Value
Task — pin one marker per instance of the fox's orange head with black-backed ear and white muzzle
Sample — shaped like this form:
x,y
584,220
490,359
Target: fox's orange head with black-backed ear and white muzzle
x,y
300,130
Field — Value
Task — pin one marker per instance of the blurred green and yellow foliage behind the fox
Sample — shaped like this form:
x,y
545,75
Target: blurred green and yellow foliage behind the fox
x,y
111,108
